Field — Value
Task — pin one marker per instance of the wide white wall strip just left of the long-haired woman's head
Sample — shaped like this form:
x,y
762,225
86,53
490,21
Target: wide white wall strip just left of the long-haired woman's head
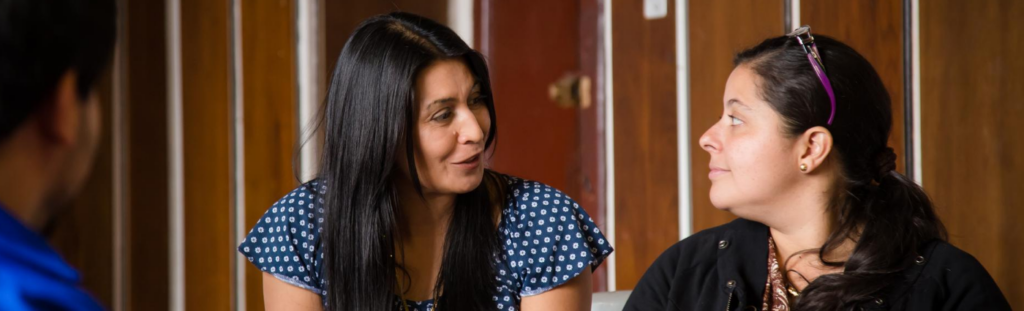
x,y
309,85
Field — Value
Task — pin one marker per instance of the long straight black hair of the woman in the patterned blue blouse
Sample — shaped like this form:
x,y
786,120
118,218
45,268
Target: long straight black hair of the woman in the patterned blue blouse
x,y
369,115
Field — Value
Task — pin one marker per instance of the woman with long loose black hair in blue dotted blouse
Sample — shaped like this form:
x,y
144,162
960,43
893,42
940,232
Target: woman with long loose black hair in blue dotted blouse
x,y
404,215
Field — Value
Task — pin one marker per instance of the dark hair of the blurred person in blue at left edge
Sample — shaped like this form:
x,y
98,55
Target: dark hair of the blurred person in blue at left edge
x,y
40,41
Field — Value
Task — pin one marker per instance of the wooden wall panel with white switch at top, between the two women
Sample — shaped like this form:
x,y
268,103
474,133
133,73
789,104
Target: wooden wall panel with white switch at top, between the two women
x,y
646,155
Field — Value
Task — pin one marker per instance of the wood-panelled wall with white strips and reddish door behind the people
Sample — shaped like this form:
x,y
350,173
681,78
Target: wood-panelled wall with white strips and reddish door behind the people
x,y
209,102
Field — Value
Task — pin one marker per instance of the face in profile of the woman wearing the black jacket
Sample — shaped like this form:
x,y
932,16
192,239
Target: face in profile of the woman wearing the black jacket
x,y
754,166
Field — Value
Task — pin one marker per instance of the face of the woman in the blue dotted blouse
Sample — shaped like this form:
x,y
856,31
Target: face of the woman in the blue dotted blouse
x,y
451,128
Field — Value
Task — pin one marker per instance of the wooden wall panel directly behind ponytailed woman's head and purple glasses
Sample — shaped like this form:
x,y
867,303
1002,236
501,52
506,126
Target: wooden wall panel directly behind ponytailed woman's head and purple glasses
x,y
875,29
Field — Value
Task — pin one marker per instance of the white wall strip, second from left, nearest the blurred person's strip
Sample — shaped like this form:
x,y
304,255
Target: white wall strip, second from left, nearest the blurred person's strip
x,y
177,157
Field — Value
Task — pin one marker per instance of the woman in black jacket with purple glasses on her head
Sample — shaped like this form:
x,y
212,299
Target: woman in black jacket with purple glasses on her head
x,y
800,156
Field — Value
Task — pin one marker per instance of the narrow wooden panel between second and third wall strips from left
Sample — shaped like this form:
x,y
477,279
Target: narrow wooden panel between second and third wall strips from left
x,y
207,123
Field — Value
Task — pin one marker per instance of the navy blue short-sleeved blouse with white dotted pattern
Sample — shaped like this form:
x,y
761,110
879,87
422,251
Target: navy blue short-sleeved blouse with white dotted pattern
x,y
548,240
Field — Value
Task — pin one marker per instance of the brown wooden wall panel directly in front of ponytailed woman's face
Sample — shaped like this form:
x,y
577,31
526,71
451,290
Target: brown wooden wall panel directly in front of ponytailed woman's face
x,y
719,30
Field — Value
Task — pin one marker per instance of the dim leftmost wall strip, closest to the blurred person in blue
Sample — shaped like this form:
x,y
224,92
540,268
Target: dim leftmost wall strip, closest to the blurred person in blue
x,y
118,159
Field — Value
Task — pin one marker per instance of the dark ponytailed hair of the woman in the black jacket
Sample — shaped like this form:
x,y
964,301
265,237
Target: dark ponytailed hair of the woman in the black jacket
x,y
888,215
